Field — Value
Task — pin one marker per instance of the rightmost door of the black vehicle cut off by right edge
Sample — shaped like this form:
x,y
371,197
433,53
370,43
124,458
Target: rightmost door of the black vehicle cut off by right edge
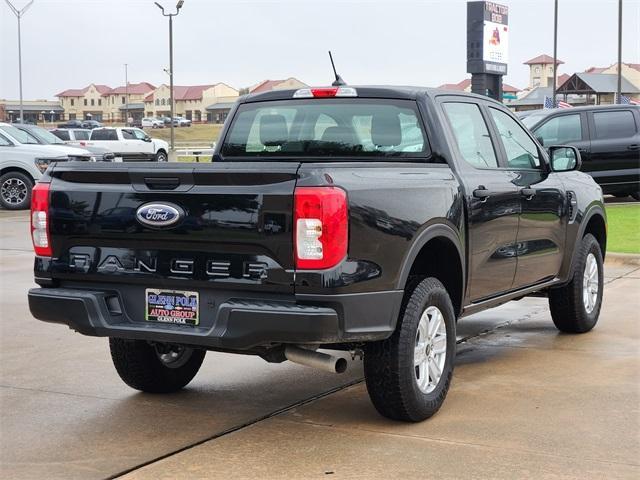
x,y
615,149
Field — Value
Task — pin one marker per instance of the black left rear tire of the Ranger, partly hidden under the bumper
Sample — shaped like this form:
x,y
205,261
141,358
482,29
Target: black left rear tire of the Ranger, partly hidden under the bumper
x,y
139,366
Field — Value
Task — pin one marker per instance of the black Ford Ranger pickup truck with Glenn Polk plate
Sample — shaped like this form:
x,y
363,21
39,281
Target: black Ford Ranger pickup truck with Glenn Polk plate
x,y
364,219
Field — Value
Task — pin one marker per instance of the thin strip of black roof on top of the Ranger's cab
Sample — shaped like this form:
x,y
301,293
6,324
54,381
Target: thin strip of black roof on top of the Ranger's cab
x,y
368,91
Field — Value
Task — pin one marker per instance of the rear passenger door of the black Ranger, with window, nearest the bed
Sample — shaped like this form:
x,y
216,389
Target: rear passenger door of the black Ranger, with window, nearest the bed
x,y
493,201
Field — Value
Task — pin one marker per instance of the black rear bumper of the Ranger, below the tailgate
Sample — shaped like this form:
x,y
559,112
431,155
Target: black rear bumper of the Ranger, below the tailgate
x,y
235,323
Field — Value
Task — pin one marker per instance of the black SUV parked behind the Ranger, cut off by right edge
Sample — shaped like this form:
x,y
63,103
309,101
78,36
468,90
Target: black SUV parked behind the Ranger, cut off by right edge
x,y
608,137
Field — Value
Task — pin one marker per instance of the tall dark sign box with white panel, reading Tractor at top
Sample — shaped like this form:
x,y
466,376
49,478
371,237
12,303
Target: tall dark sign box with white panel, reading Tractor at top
x,y
487,38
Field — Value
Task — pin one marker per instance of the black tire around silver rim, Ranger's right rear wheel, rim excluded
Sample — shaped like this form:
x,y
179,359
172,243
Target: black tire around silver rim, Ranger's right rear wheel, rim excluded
x,y
390,374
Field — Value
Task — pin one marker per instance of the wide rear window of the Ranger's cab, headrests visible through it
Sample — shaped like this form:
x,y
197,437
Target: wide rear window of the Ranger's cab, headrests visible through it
x,y
345,128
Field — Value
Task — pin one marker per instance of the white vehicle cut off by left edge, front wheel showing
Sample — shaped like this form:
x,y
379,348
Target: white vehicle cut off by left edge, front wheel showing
x,y
22,163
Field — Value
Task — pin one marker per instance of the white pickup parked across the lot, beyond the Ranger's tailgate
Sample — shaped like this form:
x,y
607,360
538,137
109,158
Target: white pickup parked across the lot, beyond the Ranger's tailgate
x,y
130,144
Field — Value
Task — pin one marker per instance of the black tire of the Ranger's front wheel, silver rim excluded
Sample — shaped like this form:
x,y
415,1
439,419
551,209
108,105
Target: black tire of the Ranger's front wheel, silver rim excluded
x,y
567,305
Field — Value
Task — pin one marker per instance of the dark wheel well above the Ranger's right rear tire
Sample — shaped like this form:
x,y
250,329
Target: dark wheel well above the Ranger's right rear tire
x,y
439,258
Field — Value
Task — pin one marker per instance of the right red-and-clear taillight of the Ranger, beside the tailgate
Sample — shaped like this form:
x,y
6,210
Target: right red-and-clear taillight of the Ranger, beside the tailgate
x,y
321,227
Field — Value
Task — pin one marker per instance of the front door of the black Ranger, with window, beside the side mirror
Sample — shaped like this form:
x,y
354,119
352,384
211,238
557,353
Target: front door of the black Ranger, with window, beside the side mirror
x,y
541,230
